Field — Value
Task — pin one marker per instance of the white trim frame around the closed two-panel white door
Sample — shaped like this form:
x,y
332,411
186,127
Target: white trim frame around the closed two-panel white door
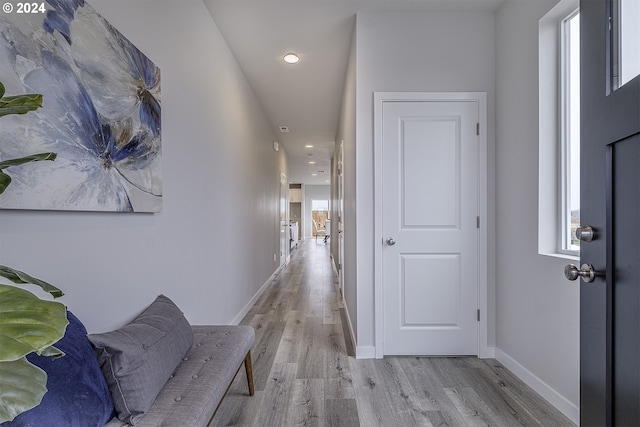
x,y
484,350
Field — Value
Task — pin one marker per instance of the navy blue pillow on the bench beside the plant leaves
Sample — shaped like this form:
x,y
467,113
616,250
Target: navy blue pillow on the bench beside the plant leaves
x,y
78,395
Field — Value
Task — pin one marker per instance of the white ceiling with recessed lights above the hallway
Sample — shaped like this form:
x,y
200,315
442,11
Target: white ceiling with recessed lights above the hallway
x,y
305,97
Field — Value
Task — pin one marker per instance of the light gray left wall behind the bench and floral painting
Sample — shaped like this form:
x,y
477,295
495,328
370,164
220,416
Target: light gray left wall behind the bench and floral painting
x,y
212,246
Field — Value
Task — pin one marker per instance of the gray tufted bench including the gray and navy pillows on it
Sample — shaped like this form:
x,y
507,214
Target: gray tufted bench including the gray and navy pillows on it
x,y
157,370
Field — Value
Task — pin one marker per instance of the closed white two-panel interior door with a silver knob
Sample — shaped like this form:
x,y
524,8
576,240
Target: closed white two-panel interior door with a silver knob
x,y
430,262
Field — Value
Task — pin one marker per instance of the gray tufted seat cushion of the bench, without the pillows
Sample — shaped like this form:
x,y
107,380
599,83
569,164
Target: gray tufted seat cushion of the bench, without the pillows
x,y
191,395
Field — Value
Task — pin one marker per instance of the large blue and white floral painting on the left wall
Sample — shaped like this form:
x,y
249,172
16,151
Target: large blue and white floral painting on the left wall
x,y
101,113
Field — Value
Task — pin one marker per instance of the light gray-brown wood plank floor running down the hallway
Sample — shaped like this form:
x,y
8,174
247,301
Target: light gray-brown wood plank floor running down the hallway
x,y
304,375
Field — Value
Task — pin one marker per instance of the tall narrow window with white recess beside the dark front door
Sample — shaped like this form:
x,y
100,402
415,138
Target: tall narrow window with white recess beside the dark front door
x,y
559,131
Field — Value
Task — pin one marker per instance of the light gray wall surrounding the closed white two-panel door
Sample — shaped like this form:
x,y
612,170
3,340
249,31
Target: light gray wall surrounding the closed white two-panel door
x,y
412,52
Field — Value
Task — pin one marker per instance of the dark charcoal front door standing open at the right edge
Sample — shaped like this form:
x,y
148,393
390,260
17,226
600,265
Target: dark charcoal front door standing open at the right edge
x,y
610,203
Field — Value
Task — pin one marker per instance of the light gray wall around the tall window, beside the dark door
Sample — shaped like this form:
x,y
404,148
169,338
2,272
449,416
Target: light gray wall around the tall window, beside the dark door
x,y
537,318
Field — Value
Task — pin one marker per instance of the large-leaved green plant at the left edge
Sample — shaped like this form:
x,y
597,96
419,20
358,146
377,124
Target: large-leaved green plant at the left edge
x,y
28,324
